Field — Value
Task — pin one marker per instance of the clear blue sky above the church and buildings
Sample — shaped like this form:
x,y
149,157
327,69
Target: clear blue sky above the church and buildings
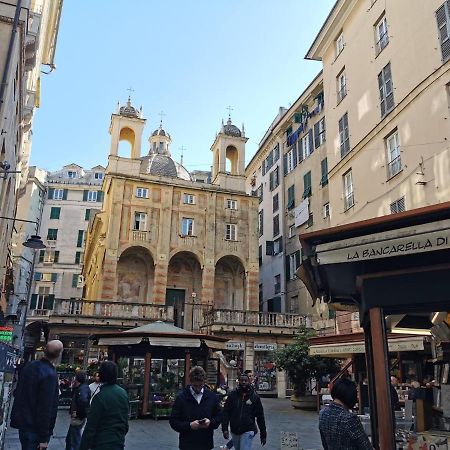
x,y
190,59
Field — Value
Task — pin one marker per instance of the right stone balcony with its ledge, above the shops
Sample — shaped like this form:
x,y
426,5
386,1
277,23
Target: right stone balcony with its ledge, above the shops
x,y
232,320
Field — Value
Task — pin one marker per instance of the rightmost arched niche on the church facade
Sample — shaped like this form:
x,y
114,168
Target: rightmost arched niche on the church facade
x,y
229,284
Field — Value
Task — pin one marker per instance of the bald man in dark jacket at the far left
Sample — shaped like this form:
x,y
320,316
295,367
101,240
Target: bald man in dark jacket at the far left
x,y
36,399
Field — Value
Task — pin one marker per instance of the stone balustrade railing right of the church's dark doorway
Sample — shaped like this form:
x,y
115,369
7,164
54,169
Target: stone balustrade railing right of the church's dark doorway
x,y
253,318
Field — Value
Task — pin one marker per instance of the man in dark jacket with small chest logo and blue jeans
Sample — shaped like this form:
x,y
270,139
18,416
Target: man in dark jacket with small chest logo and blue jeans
x,y
242,408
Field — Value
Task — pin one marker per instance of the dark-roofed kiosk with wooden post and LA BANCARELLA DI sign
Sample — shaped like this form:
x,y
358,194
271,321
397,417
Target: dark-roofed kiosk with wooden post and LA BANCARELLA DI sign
x,y
395,272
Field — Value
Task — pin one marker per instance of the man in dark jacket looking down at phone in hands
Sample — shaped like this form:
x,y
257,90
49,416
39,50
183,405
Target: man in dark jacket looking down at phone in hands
x,y
196,413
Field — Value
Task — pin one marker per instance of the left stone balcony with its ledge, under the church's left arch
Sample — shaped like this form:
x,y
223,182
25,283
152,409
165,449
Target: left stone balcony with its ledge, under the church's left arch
x,y
96,312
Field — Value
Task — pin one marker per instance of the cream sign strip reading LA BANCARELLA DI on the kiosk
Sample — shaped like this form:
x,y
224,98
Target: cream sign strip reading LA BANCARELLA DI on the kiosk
x,y
419,239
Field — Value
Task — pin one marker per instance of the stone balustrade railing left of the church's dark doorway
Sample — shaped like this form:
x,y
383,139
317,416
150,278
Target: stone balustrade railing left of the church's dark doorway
x,y
106,310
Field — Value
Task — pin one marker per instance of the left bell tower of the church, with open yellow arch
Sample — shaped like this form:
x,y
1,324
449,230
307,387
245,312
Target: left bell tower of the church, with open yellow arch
x,y
127,125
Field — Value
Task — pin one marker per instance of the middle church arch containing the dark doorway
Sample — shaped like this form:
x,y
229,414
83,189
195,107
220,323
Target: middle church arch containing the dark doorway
x,y
184,283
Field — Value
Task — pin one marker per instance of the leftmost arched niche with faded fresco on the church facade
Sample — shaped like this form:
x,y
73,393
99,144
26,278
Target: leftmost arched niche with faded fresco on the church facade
x,y
135,274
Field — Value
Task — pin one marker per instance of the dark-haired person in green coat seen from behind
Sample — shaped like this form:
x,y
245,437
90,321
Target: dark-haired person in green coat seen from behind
x,y
107,421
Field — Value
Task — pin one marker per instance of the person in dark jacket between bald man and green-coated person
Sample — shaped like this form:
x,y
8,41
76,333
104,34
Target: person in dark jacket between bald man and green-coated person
x,y
78,411
